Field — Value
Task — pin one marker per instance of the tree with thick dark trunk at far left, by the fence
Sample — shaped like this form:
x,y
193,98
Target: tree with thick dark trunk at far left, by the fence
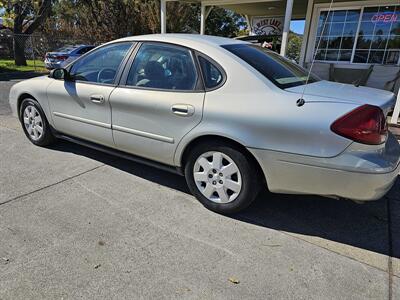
x,y
27,16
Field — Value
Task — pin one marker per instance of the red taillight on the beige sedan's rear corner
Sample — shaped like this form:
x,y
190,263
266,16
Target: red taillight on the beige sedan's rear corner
x,y
365,124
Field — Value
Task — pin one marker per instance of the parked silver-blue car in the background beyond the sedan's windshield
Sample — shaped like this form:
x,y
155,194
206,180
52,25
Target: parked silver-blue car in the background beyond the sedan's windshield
x,y
63,56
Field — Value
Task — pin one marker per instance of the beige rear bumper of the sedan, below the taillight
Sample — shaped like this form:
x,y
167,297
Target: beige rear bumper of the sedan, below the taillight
x,y
361,172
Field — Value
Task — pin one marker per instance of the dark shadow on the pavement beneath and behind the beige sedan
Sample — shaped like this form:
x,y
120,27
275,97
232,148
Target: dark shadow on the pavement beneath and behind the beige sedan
x,y
365,226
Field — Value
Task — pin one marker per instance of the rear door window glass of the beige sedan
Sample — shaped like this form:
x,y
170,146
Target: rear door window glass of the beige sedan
x,y
162,66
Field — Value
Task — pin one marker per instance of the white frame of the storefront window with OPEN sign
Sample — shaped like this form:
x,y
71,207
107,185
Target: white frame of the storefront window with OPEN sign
x,y
361,5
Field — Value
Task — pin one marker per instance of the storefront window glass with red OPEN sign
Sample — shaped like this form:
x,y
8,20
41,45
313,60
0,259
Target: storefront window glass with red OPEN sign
x,y
378,37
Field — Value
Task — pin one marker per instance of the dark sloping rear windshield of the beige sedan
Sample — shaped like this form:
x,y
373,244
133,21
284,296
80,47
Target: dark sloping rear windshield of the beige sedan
x,y
281,71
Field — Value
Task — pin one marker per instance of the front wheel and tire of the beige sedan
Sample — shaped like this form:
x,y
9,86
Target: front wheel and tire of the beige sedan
x,y
35,124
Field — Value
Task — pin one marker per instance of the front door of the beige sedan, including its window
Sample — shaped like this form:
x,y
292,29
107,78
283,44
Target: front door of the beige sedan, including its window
x,y
80,105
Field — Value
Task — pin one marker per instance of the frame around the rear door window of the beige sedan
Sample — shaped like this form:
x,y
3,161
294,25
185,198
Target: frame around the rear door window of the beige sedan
x,y
199,87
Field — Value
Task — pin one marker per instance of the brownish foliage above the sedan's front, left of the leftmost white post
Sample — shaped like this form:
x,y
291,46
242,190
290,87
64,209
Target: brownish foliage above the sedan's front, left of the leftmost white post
x,y
98,21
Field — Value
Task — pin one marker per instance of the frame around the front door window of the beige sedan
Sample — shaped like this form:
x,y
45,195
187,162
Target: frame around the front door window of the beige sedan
x,y
121,66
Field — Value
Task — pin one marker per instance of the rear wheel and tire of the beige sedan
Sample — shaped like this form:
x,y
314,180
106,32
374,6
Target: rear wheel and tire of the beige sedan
x,y
222,177
